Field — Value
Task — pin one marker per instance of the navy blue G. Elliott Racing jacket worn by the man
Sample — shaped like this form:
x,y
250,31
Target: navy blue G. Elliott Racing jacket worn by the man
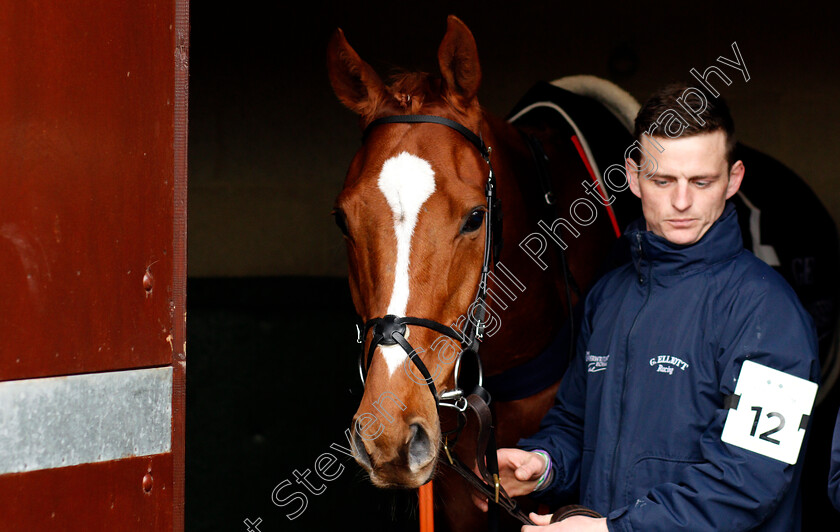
x,y
637,421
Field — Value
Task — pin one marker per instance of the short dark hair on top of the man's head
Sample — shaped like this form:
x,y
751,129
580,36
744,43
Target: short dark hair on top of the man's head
x,y
716,116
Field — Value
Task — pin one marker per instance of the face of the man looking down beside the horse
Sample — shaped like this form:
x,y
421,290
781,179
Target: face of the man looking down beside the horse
x,y
689,188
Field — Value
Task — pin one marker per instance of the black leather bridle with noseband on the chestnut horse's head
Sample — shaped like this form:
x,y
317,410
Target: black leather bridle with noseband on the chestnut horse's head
x,y
391,330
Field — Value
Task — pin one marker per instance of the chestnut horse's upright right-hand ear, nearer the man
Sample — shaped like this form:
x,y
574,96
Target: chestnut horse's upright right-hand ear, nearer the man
x,y
458,59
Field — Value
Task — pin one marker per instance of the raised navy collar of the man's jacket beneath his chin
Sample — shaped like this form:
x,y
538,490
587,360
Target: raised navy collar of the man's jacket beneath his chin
x,y
721,242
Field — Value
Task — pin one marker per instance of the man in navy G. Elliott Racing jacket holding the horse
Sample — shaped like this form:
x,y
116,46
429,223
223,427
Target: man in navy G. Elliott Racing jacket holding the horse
x,y
639,420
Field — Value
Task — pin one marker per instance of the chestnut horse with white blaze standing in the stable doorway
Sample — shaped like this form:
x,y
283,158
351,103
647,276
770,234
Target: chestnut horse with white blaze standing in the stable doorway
x,y
414,212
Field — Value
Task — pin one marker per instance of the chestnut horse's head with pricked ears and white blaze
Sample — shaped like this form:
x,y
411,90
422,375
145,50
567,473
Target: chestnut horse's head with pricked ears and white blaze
x,y
414,212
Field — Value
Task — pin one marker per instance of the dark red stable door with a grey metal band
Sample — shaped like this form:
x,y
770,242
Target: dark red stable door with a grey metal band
x,y
93,102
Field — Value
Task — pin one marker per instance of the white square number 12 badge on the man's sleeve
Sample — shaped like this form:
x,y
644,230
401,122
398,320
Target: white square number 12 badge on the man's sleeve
x,y
770,413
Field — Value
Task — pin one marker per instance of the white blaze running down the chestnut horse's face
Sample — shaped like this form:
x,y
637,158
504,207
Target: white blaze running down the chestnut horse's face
x,y
407,182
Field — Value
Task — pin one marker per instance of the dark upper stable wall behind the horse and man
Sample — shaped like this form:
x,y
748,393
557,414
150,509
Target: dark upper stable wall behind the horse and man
x,y
270,144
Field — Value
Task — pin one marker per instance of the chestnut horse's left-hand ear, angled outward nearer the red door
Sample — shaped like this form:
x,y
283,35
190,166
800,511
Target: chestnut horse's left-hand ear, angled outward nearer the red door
x,y
354,82
